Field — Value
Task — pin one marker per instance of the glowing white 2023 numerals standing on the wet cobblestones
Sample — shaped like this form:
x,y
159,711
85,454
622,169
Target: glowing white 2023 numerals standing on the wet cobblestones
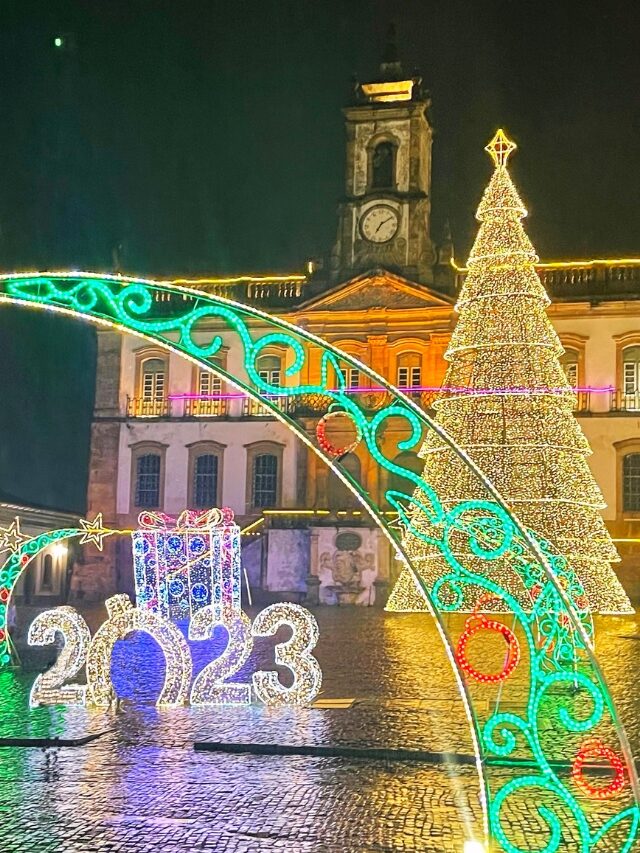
x,y
212,685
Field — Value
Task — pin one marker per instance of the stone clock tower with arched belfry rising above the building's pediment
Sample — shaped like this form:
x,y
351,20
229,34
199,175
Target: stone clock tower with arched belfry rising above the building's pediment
x,y
384,216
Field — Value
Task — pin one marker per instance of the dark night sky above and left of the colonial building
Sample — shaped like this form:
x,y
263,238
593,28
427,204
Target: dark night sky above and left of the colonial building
x,y
207,137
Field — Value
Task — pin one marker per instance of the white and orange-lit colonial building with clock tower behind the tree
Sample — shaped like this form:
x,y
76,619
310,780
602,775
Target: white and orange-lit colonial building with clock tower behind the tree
x,y
167,436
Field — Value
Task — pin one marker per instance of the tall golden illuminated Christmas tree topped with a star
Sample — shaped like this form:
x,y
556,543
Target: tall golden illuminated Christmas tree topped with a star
x,y
507,402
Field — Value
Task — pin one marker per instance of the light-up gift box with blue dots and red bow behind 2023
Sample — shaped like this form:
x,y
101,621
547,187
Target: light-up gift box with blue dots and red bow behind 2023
x,y
182,565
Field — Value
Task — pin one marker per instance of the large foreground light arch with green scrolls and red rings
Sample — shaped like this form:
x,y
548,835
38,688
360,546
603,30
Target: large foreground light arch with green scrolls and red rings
x,y
527,730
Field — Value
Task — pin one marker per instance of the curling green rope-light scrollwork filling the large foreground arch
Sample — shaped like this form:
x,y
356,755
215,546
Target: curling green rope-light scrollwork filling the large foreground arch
x,y
560,663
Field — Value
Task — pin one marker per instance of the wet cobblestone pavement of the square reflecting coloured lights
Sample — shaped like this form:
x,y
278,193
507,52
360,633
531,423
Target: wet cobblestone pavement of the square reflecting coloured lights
x,y
142,787
